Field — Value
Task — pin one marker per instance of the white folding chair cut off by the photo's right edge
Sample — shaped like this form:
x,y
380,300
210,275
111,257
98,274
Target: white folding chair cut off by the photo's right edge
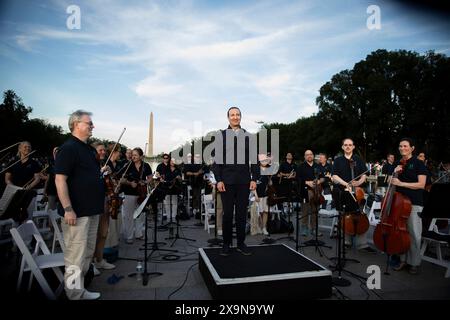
x,y
434,236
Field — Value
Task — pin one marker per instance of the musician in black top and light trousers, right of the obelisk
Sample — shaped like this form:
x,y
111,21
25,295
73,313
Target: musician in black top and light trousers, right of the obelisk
x,y
172,183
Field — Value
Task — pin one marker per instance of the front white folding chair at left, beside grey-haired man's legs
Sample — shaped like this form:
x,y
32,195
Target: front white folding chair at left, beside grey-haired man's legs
x,y
36,262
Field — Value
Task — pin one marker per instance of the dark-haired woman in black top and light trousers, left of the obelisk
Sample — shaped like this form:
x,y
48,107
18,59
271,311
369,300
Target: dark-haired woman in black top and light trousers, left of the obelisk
x,y
134,186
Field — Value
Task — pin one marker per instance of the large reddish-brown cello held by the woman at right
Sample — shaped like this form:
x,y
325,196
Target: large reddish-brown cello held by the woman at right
x,y
391,234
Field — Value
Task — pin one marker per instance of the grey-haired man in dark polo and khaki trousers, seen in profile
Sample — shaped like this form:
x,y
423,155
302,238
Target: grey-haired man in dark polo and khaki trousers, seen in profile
x,y
81,191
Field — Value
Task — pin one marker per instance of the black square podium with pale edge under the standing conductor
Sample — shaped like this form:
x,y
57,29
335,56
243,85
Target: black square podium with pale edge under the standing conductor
x,y
272,272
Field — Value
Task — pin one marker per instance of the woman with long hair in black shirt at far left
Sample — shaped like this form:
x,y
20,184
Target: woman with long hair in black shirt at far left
x,y
25,173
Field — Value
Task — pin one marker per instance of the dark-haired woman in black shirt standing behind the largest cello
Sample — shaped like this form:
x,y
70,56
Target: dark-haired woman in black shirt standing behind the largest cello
x,y
411,182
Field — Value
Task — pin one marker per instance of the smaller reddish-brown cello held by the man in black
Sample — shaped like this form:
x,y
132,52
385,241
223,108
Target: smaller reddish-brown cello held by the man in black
x,y
355,223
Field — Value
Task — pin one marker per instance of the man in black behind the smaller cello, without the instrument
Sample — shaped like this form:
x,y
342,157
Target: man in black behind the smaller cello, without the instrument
x,y
342,175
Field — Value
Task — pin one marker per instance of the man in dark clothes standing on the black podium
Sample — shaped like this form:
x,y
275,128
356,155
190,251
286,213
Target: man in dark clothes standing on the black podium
x,y
236,176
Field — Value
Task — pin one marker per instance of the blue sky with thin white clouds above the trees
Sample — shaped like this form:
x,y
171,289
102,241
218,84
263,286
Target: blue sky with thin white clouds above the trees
x,y
188,61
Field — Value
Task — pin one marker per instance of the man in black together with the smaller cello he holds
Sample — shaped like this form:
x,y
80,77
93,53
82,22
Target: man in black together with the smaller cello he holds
x,y
348,193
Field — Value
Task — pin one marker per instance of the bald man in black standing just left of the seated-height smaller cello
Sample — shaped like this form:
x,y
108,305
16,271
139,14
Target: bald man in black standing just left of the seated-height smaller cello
x,y
309,174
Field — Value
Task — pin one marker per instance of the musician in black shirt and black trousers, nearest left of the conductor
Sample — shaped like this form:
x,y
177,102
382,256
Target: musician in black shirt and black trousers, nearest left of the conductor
x,y
193,173
